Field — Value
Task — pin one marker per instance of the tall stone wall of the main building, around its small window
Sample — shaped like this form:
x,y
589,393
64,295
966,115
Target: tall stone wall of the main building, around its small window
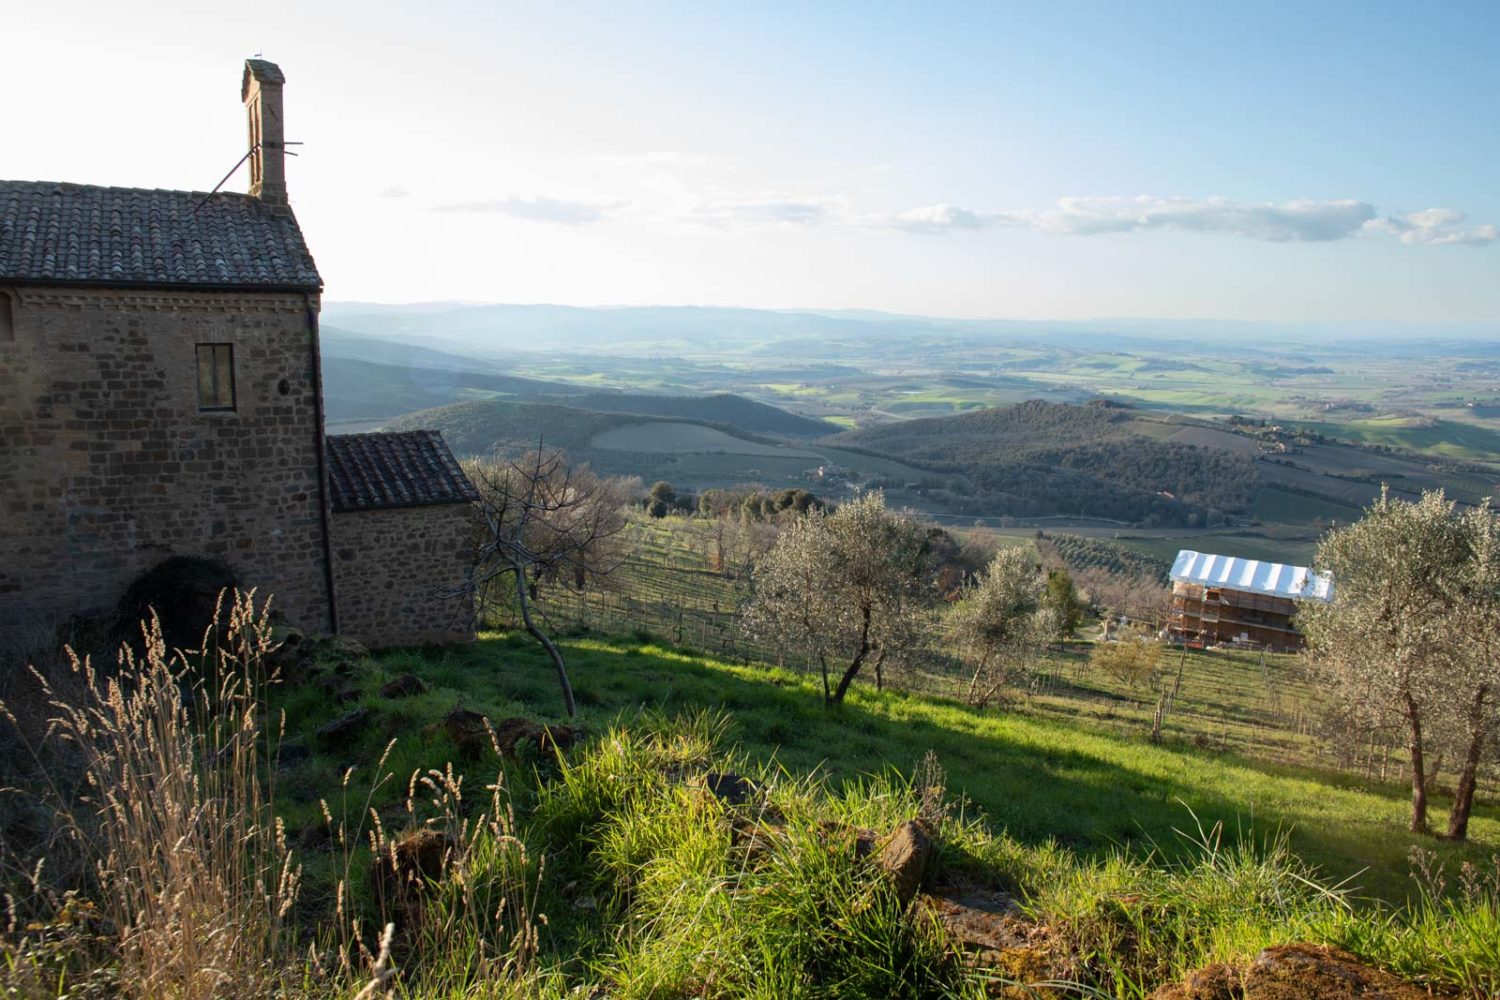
x,y
109,467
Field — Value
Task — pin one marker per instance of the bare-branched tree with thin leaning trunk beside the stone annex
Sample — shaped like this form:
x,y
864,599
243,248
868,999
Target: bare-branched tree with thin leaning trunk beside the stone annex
x,y
542,521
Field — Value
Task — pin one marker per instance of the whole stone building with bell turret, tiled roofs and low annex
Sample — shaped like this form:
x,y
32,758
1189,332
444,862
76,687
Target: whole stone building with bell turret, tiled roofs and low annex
x,y
161,398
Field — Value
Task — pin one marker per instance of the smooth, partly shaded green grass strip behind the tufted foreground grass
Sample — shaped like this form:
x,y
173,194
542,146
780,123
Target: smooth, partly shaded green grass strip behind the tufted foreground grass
x,y
1040,780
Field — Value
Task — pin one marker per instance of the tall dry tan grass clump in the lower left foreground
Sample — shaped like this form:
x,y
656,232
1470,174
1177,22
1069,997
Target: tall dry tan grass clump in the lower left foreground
x,y
193,882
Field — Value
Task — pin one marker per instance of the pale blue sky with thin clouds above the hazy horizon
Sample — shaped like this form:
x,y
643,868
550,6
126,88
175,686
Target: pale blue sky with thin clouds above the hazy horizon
x,y
1043,161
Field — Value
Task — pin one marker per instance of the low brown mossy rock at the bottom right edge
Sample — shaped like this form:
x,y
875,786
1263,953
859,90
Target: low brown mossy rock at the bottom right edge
x,y
1294,972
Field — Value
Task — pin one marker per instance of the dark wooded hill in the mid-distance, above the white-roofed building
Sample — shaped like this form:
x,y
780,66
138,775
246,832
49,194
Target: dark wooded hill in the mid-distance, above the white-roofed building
x,y
1040,458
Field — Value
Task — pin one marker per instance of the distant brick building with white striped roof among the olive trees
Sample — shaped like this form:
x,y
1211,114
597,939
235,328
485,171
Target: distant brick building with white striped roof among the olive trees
x,y
1222,599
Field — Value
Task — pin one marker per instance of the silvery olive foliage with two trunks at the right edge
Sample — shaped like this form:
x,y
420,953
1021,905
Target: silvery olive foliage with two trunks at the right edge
x,y
1409,636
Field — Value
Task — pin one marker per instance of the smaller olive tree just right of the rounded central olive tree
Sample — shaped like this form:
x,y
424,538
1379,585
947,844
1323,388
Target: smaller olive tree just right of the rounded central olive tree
x,y
1003,623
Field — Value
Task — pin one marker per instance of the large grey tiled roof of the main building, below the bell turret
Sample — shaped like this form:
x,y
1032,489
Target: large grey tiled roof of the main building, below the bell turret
x,y
130,236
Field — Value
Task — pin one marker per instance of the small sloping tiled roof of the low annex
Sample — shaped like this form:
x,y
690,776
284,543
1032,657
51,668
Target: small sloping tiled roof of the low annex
x,y
368,472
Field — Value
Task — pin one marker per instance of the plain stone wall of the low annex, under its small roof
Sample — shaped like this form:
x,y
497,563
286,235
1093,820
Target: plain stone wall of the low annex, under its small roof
x,y
397,573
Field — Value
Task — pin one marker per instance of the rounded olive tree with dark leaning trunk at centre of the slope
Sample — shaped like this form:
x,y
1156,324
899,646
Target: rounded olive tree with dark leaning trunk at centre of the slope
x,y
848,587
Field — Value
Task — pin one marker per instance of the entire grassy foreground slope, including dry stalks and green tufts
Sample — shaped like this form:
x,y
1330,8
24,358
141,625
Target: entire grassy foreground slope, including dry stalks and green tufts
x,y
425,825
